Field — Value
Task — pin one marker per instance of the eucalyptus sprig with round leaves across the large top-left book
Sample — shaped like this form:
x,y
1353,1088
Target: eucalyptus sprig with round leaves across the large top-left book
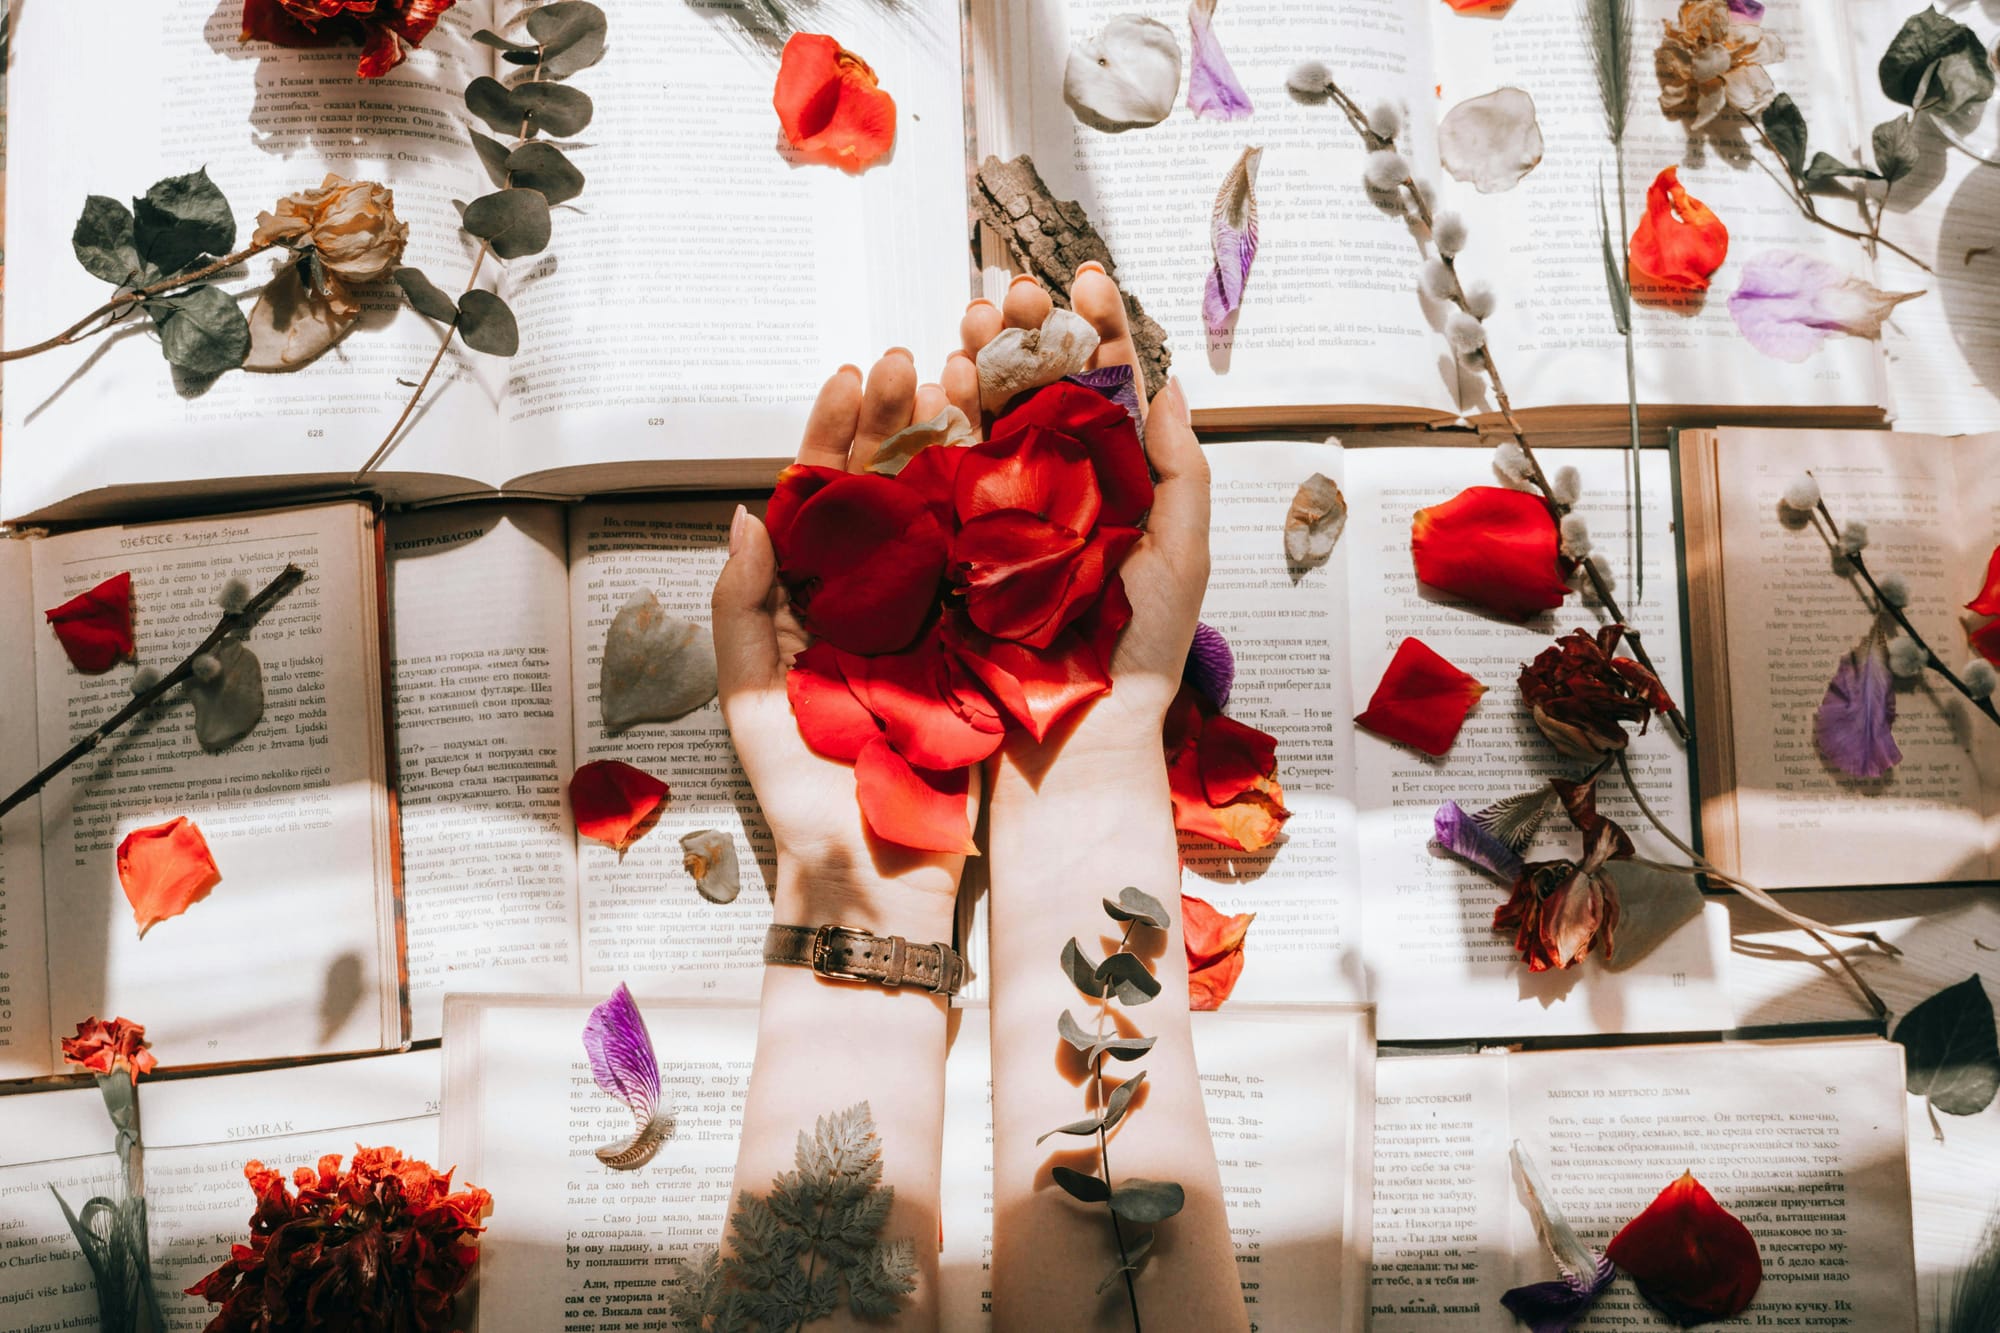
x,y
531,175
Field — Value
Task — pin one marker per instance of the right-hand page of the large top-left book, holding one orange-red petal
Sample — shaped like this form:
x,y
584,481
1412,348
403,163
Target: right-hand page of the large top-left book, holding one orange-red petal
x,y
707,281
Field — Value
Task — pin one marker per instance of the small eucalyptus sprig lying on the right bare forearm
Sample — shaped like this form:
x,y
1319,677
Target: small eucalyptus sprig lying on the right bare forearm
x,y
1125,980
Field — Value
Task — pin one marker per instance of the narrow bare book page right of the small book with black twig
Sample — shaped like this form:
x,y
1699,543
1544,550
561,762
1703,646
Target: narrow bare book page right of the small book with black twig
x,y
481,603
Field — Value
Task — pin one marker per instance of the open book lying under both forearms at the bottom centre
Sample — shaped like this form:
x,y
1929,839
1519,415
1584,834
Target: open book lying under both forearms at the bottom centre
x,y
571,1244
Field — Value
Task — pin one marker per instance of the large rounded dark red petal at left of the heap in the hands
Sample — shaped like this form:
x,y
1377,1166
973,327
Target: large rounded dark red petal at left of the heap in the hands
x,y
863,559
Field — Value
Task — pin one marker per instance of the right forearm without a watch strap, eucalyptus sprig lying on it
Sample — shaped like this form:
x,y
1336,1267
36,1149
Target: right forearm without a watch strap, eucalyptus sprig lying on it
x,y
1061,844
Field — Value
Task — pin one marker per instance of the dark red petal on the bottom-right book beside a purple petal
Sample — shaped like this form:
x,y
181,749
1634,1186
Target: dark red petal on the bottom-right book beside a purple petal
x,y
1689,1254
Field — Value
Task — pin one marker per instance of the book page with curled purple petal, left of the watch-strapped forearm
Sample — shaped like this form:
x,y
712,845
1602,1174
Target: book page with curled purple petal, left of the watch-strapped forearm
x,y
573,1244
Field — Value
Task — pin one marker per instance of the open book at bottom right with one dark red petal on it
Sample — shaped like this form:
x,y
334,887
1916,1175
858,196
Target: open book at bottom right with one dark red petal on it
x,y
1803,1142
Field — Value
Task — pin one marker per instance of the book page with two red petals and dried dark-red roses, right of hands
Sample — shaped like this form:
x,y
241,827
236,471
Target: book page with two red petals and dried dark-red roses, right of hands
x,y
1435,960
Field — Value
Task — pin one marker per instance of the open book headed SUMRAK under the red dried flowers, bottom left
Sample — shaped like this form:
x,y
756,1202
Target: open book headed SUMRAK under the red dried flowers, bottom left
x,y
199,1136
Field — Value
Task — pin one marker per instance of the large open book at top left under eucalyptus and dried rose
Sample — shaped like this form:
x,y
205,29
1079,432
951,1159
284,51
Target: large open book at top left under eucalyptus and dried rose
x,y
675,333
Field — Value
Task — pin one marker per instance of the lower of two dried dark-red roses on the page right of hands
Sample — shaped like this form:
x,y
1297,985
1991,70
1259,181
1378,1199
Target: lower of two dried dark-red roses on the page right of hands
x,y
1561,910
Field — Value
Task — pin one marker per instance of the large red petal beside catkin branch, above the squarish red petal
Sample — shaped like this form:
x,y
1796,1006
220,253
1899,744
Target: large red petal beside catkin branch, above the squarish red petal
x,y
1495,547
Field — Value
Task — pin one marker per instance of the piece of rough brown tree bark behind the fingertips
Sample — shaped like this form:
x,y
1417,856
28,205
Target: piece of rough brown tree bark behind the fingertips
x,y
1051,237
